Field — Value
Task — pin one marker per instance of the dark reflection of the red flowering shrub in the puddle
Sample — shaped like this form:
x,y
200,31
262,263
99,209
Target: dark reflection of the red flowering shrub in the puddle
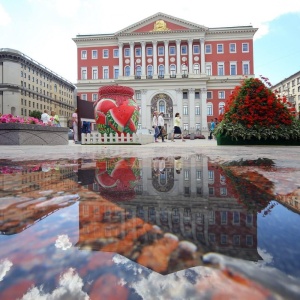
x,y
249,187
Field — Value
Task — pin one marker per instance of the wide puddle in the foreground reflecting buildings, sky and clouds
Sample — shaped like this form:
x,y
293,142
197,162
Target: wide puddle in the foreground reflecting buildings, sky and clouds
x,y
84,227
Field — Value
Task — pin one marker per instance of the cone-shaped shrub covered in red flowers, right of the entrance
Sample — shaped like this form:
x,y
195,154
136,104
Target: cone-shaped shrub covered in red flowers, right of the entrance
x,y
254,111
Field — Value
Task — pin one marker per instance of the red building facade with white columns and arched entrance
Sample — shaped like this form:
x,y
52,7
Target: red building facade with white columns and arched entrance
x,y
172,64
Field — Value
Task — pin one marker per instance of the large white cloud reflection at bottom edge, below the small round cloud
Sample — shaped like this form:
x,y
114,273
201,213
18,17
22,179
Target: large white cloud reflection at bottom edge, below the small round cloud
x,y
70,287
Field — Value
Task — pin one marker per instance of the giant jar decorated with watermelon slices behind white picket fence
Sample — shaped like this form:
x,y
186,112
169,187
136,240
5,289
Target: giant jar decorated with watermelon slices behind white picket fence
x,y
116,111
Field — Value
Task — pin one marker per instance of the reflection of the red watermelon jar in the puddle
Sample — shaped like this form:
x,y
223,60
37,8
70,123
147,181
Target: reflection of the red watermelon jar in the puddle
x,y
117,177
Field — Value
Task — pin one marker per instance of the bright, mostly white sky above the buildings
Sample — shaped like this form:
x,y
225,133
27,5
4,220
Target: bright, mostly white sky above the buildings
x,y
43,29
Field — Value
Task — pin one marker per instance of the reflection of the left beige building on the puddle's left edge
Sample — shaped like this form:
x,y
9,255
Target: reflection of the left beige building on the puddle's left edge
x,y
27,197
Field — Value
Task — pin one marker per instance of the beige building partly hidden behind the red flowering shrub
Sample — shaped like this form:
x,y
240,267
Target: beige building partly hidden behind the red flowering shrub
x,y
290,87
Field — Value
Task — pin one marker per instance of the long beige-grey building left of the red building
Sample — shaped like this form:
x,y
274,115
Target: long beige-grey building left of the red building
x,y
26,85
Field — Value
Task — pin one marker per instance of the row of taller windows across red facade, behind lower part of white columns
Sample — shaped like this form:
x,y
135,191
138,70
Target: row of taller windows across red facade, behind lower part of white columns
x,y
161,70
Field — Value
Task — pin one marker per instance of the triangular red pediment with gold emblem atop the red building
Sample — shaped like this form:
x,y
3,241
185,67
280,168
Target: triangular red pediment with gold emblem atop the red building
x,y
160,22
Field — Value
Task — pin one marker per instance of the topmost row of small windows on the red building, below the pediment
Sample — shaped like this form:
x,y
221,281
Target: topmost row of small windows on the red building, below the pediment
x,y
161,50
